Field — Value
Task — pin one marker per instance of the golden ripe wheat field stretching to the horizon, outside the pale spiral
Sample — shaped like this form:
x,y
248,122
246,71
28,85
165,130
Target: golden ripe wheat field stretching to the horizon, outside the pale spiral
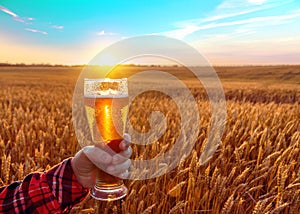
x,y
256,168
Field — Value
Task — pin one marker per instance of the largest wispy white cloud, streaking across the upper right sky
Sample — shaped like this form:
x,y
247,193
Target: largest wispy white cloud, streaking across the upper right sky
x,y
237,9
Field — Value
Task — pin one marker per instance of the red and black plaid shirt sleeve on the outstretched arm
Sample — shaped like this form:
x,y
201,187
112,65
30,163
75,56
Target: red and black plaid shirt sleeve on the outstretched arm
x,y
54,191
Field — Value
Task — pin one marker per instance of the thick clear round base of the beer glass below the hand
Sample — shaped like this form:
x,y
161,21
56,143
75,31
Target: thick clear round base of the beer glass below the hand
x,y
109,193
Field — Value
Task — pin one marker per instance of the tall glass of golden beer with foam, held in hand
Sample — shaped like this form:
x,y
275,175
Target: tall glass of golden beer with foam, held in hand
x,y
106,105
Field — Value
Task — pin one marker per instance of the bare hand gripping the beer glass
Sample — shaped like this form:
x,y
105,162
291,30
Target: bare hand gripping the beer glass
x,y
86,171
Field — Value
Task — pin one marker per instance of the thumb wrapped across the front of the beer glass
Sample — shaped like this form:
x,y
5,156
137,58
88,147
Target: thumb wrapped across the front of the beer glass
x,y
97,155
